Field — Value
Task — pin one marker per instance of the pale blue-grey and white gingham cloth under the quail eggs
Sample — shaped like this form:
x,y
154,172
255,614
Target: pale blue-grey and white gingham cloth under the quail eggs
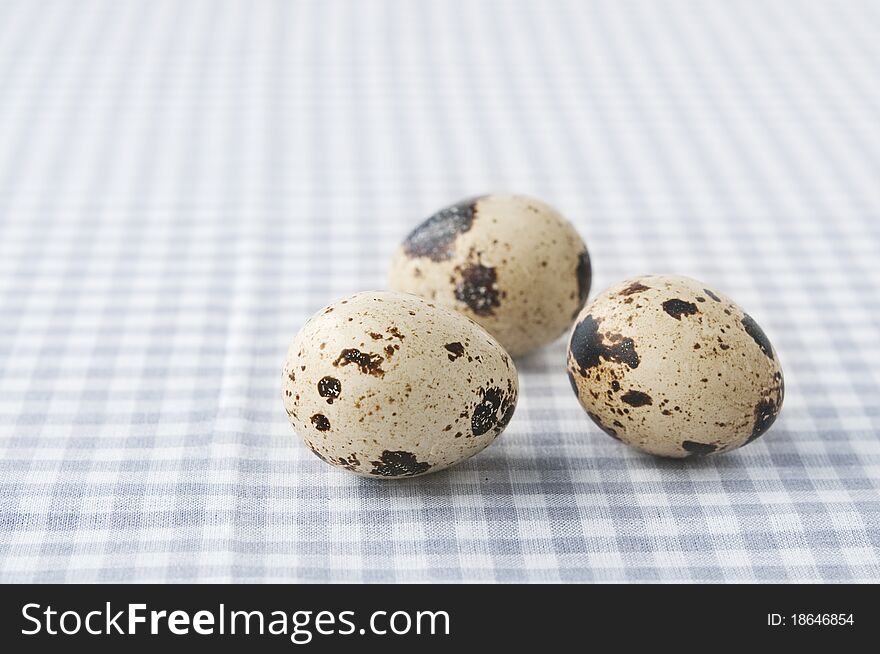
x,y
183,183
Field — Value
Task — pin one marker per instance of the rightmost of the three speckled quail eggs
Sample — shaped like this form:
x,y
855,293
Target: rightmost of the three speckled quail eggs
x,y
671,367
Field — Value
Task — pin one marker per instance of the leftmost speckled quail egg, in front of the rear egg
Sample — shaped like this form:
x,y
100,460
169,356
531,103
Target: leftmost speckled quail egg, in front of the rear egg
x,y
387,384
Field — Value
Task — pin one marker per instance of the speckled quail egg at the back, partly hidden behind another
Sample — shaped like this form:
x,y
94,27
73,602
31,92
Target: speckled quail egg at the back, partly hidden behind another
x,y
511,263
